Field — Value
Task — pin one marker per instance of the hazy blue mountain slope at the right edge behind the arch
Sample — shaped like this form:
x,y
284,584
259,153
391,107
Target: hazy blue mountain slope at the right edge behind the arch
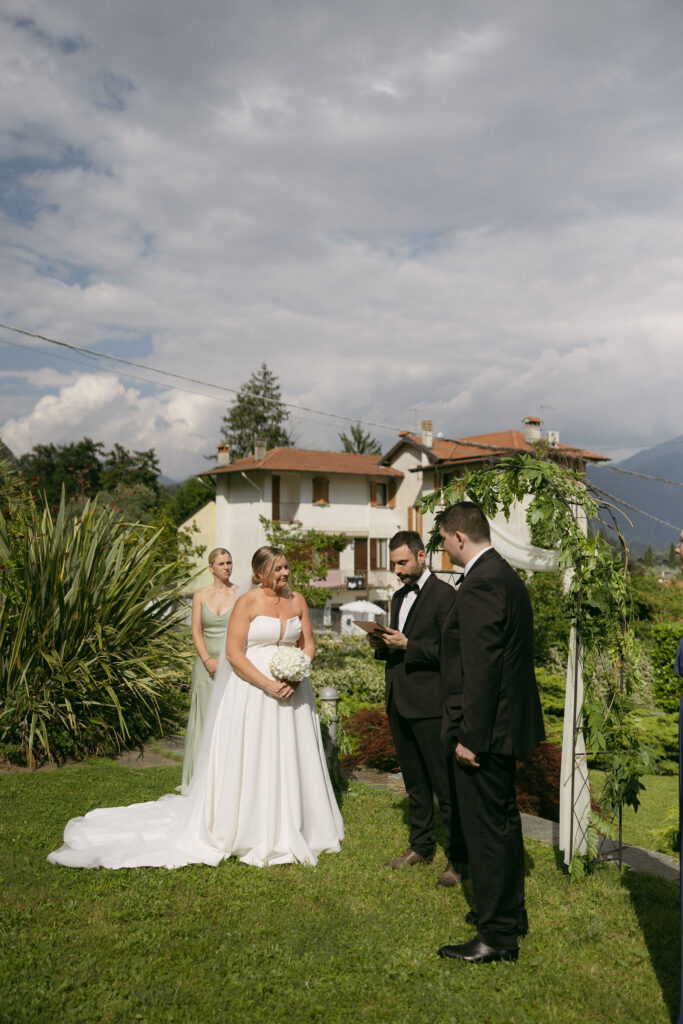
x,y
662,500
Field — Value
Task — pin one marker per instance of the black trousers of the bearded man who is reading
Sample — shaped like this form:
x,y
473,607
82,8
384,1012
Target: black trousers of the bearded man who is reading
x,y
428,772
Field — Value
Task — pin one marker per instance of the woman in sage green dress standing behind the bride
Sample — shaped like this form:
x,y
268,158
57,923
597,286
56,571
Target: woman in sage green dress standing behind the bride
x,y
211,611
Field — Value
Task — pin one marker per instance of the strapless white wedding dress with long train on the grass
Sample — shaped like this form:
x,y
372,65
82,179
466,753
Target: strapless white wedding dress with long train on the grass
x,y
261,792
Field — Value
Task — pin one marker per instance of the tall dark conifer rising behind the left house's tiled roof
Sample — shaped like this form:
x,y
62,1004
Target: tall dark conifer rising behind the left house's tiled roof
x,y
258,412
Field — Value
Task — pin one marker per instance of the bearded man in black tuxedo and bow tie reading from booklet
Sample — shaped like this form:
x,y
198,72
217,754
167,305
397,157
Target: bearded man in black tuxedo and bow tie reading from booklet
x,y
411,649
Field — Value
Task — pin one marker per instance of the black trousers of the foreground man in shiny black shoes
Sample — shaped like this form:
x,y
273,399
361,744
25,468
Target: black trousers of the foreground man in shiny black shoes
x,y
494,836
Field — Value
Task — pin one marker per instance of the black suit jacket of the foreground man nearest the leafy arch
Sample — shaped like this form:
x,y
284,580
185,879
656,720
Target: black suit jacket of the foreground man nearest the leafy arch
x,y
491,696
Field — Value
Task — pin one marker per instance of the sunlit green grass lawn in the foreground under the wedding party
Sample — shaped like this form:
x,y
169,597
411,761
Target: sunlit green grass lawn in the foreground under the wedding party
x,y
346,943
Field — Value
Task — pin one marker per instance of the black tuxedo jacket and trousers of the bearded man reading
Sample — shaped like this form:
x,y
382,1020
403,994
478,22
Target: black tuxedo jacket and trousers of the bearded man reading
x,y
414,705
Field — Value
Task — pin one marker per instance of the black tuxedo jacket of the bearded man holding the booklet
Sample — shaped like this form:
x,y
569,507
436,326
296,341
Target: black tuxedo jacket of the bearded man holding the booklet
x,y
413,677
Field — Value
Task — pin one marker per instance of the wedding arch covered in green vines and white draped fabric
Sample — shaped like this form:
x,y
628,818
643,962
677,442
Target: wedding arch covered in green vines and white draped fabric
x,y
570,525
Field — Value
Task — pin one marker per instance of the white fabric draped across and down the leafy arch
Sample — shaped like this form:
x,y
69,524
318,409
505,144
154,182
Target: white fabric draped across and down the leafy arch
x,y
574,820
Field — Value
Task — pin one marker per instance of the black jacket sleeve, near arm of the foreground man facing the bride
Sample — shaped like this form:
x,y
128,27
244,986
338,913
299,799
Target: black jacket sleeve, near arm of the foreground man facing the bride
x,y
483,617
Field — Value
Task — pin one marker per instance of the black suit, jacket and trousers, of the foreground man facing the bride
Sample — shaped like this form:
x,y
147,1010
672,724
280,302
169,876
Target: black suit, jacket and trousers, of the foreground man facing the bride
x,y
492,707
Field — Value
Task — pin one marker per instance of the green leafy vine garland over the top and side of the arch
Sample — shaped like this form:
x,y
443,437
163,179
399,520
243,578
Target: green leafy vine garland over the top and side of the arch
x,y
566,515
